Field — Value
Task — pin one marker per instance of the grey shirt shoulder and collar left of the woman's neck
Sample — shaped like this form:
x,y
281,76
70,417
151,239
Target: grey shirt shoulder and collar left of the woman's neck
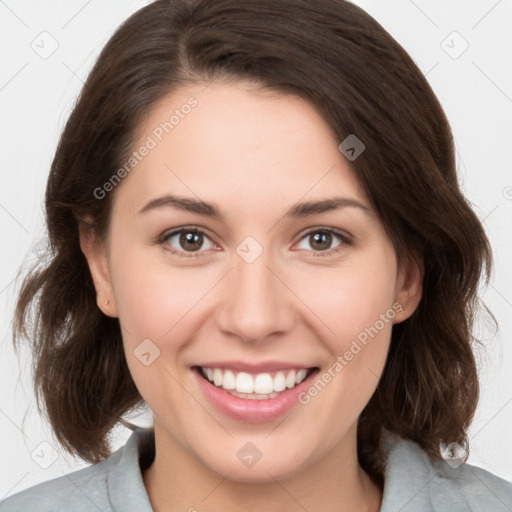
x,y
110,485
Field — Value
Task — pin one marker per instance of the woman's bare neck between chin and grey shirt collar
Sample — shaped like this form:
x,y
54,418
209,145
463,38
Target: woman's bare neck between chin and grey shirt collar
x,y
178,481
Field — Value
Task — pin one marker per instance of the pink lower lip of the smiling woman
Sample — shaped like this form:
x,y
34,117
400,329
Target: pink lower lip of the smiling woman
x,y
254,411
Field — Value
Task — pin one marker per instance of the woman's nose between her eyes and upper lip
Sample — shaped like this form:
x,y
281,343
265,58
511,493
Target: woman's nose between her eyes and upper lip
x,y
257,301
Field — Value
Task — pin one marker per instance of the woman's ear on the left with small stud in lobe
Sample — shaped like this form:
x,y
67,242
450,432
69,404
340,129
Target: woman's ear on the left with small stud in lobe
x,y
96,255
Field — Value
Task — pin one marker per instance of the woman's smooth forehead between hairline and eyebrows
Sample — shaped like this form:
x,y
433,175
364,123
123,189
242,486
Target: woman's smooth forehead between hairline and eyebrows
x,y
239,146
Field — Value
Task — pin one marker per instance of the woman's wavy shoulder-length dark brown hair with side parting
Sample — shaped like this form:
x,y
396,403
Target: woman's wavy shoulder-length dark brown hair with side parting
x,y
362,82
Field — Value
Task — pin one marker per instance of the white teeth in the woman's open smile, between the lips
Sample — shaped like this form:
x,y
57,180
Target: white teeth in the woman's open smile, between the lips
x,y
259,386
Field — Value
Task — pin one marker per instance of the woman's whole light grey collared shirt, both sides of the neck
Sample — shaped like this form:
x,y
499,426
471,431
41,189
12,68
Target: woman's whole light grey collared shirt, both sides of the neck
x,y
412,483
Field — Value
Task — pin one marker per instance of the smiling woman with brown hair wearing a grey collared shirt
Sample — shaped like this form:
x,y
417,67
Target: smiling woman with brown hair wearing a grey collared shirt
x,y
257,231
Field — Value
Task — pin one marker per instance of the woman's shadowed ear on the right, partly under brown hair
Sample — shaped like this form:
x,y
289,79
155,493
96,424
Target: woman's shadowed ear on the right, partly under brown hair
x,y
409,286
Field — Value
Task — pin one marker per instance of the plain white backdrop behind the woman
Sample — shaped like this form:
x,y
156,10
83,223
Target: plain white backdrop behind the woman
x,y
47,48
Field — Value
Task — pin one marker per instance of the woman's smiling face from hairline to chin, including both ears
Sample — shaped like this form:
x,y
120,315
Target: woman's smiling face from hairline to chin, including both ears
x,y
267,291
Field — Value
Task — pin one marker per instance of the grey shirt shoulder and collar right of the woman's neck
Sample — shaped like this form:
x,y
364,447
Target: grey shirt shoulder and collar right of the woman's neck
x,y
413,481
